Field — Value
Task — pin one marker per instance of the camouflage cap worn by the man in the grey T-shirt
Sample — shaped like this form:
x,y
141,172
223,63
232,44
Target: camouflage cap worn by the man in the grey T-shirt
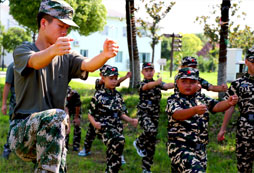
x,y
58,9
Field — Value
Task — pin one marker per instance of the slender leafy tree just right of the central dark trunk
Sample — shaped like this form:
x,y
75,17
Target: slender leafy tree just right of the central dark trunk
x,y
157,10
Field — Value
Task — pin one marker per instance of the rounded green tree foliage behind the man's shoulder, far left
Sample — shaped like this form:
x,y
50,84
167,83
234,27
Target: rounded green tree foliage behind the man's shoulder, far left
x,y
14,37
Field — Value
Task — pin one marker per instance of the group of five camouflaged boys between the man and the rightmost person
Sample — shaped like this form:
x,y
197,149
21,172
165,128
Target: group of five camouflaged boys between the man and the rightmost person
x,y
187,111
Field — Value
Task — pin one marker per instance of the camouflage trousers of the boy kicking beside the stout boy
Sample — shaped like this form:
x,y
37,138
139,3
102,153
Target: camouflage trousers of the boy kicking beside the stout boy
x,y
147,140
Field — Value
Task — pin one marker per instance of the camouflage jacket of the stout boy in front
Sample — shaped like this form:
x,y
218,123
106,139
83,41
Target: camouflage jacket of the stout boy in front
x,y
194,129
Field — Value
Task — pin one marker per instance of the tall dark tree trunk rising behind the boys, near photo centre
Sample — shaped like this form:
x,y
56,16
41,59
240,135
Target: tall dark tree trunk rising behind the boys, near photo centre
x,y
132,44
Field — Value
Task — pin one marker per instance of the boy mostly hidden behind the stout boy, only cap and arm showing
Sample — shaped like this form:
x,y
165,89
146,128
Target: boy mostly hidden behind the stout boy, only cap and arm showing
x,y
189,61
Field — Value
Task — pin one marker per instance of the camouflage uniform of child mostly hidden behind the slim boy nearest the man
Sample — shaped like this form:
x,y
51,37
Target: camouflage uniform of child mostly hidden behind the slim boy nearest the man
x,y
90,134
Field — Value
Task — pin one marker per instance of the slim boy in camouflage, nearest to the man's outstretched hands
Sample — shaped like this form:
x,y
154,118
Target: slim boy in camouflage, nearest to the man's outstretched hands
x,y
106,109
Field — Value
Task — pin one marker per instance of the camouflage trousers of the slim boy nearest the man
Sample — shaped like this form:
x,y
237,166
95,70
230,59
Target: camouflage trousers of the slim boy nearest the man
x,y
114,140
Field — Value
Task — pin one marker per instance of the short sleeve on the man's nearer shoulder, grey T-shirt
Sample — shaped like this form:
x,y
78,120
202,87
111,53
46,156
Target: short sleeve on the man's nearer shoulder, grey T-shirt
x,y
21,56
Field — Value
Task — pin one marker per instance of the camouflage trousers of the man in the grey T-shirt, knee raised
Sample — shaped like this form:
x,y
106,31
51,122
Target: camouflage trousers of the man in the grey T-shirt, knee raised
x,y
41,138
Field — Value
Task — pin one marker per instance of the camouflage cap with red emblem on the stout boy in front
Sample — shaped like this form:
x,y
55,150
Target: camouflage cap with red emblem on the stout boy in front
x,y
188,72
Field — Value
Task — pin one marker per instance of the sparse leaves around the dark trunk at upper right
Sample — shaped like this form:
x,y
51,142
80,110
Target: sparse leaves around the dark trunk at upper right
x,y
240,38
